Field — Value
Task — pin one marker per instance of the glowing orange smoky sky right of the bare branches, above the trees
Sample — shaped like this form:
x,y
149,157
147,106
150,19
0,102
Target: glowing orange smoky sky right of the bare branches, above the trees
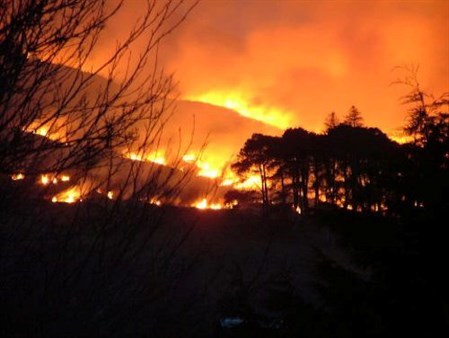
x,y
304,59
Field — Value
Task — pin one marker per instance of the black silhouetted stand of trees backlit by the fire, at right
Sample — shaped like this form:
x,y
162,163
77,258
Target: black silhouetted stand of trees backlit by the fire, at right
x,y
353,166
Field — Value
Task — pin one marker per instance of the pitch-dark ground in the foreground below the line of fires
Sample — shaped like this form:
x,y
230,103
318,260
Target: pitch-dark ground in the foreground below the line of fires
x,y
104,269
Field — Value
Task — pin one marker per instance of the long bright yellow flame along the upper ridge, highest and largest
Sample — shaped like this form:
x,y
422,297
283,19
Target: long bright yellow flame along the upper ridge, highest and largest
x,y
241,104
